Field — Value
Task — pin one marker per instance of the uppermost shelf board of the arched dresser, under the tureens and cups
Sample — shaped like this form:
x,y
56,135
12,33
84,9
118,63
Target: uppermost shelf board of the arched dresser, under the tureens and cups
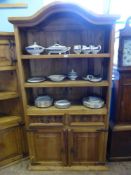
x,y
100,55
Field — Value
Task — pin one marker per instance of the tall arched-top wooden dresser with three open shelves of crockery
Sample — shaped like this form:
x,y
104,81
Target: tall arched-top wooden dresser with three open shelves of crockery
x,y
76,136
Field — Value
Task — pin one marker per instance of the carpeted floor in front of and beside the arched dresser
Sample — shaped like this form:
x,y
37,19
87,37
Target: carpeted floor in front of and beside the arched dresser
x,y
115,168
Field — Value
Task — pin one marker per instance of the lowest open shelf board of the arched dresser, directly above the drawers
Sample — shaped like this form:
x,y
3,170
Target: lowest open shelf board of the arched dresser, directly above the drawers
x,y
73,110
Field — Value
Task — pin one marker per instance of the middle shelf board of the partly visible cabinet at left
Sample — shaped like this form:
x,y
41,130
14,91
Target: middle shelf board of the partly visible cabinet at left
x,y
8,95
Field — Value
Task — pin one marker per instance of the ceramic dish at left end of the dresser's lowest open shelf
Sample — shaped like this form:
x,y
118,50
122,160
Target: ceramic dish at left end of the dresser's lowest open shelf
x,y
43,101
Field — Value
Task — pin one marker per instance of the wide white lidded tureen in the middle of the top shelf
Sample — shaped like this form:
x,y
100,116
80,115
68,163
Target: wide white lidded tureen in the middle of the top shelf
x,y
57,49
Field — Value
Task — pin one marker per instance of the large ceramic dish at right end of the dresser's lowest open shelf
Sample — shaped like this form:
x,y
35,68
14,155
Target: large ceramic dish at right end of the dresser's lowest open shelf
x,y
93,102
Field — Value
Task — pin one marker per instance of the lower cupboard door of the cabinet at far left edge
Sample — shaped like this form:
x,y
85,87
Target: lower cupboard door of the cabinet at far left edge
x,y
10,144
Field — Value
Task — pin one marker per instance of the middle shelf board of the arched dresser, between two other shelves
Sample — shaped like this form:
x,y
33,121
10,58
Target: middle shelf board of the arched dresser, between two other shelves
x,y
67,83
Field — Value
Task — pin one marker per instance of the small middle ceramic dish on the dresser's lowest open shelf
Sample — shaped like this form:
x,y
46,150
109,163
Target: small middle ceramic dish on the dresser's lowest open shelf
x,y
62,104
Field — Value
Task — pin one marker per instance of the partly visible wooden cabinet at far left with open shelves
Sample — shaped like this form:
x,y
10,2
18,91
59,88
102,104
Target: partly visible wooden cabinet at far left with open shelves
x,y
12,138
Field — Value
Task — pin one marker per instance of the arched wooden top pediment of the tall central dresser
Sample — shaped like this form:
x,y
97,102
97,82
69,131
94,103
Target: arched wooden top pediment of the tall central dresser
x,y
60,7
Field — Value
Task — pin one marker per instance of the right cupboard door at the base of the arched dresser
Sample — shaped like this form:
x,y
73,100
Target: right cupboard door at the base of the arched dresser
x,y
86,146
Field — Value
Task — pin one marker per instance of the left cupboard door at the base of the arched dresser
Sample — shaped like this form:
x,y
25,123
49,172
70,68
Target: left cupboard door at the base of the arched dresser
x,y
47,146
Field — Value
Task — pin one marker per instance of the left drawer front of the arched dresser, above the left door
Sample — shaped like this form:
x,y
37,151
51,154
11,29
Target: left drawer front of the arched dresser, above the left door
x,y
46,120
